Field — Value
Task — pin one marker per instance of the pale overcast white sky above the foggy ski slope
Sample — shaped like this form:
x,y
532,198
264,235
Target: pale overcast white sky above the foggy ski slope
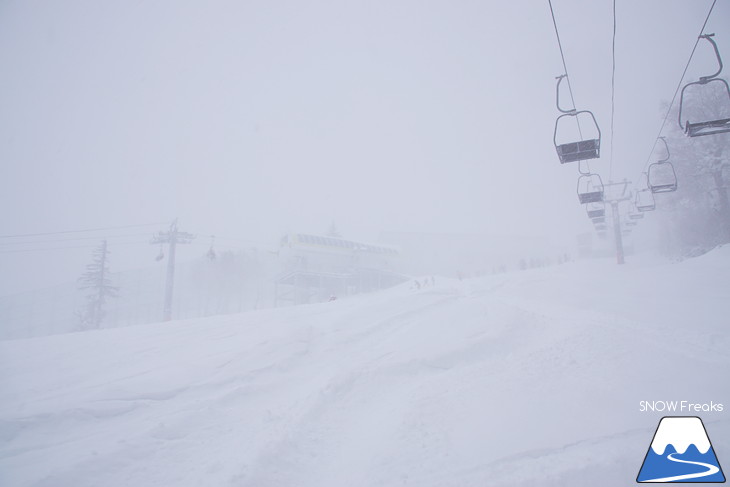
x,y
250,119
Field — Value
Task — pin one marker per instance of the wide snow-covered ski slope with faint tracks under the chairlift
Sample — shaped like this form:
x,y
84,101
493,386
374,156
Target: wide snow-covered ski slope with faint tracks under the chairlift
x,y
527,378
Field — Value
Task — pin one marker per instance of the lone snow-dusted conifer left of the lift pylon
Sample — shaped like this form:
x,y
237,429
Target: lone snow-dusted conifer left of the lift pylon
x,y
97,281
